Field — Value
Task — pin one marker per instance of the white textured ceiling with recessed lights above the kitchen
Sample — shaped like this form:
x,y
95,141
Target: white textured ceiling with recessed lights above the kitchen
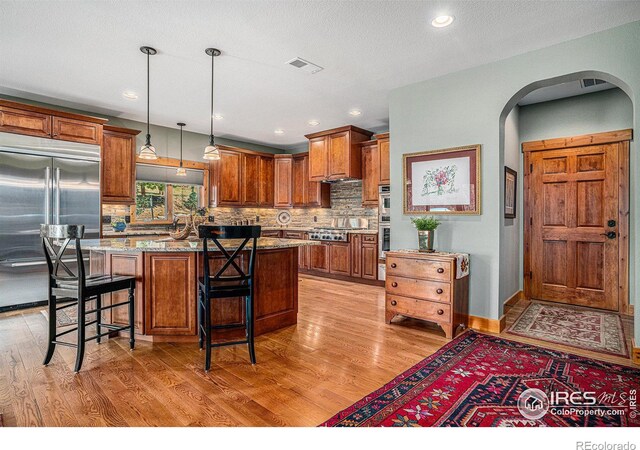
x,y
85,53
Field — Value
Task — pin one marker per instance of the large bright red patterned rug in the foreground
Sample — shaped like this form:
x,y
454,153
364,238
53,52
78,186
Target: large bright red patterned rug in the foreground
x,y
477,380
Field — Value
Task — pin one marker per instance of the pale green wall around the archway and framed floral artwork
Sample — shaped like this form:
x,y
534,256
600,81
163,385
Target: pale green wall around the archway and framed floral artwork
x,y
470,107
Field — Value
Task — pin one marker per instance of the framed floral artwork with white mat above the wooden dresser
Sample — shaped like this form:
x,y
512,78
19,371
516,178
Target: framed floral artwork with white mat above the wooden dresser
x,y
442,181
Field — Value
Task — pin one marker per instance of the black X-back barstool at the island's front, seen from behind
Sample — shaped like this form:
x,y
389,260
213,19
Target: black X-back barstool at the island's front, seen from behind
x,y
231,280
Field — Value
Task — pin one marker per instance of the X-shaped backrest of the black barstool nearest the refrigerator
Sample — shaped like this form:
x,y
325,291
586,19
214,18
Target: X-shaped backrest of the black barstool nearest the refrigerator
x,y
60,236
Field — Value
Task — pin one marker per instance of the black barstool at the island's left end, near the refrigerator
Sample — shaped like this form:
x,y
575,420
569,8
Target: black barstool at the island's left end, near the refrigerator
x,y
71,289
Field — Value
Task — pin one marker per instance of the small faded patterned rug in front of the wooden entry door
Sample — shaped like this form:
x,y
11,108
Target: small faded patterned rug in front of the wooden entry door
x,y
582,328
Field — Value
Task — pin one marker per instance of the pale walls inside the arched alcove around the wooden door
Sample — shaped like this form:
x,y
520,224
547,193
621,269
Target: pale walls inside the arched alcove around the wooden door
x,y
519,124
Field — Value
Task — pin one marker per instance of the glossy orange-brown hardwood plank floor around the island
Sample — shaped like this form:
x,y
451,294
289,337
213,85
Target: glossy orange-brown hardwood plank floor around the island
x,y
339,351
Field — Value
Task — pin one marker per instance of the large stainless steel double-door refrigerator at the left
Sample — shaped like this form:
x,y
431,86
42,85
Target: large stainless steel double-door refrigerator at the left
x,y
41,181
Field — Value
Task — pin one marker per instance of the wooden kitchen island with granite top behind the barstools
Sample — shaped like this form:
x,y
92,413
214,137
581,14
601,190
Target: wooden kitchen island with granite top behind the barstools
x,y
167,273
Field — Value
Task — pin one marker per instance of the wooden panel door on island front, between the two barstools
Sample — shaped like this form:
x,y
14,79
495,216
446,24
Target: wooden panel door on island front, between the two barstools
x,y
170,293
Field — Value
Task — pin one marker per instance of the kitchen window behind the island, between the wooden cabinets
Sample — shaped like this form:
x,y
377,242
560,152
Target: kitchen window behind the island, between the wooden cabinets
x,y
159,202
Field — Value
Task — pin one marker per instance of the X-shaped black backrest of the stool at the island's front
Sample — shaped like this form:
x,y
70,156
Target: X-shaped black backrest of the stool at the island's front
x,y
241,236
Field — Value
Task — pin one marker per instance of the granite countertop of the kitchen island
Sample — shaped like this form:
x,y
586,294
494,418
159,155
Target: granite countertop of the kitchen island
x,y
192,244
